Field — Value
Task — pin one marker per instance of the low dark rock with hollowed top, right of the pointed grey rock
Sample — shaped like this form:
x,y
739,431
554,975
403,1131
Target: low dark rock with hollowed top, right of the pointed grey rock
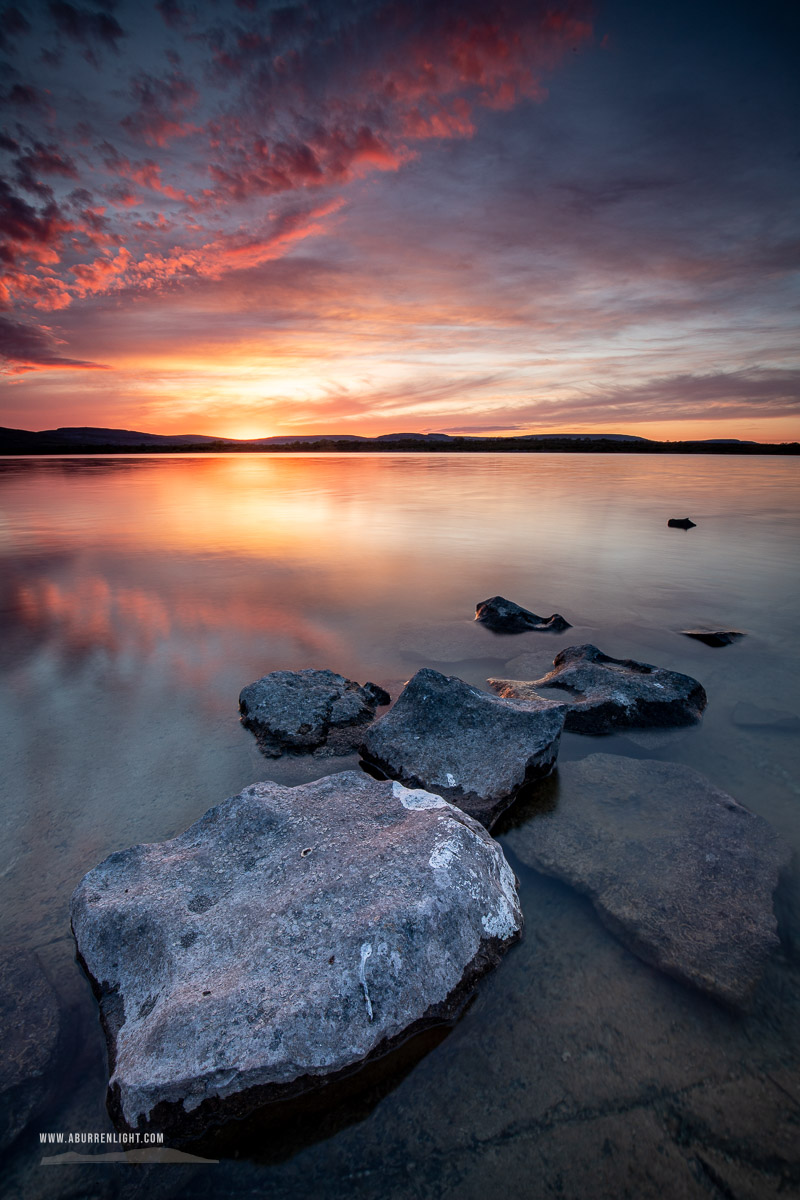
x,y
605,694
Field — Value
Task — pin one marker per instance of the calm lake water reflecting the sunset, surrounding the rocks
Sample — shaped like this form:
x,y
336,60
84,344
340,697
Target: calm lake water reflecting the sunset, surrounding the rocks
x,y
141,595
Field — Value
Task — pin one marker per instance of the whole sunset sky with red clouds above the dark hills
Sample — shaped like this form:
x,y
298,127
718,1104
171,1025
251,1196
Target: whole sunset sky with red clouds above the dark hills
x,y
255,218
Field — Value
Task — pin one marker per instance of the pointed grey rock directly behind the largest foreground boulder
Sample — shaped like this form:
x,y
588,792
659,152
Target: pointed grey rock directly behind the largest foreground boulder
x,y
464,743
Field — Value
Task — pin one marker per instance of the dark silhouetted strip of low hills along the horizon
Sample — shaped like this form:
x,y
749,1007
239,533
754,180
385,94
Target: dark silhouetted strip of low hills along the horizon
x,y
91,441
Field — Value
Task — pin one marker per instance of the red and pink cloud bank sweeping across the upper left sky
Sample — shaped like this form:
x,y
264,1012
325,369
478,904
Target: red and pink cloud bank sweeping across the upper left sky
x,y
323,100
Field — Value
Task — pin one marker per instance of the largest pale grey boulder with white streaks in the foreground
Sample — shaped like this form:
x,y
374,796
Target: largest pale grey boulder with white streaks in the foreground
x,y
288,937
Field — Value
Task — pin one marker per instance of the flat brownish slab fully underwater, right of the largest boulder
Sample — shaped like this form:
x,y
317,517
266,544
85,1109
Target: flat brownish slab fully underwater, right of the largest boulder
x,y
677,869
